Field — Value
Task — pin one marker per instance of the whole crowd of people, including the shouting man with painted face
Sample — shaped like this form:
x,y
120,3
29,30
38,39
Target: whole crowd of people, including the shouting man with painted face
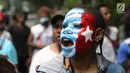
x,y
79,41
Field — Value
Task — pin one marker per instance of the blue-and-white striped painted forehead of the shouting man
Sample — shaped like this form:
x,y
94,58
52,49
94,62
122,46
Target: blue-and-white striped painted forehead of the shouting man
x,y
74,16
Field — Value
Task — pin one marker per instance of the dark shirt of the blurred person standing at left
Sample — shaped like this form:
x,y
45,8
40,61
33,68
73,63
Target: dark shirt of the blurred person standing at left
x,y
19,38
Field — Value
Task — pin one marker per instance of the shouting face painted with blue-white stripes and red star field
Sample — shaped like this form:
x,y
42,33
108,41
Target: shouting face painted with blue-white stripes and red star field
x,y
77,32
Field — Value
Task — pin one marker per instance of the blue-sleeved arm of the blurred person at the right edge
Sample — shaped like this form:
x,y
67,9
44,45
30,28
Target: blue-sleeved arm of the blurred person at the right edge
x,y
122,53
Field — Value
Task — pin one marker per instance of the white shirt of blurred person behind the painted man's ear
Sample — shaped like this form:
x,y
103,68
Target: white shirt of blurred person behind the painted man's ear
x,y
107,47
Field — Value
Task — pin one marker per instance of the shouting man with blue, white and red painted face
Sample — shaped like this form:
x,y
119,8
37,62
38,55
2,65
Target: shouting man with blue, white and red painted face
x,y
82,31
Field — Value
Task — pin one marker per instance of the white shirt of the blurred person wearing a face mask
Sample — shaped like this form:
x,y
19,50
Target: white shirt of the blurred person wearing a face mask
x,y
47,35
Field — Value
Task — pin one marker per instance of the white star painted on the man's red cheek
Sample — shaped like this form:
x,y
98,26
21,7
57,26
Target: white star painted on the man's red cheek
x,y
88,34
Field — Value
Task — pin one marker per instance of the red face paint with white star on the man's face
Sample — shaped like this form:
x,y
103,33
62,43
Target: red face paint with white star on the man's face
x,y
86,35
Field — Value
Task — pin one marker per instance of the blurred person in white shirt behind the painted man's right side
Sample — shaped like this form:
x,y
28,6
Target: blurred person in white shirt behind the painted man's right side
x,y
110,37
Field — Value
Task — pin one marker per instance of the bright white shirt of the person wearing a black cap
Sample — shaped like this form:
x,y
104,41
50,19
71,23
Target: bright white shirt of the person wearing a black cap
x,y
41,57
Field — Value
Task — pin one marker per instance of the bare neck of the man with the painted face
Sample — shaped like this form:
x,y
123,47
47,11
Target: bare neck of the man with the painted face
x,y
84,64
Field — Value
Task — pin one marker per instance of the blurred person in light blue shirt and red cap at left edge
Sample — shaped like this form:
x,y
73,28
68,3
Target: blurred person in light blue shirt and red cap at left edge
x,y
6,46
